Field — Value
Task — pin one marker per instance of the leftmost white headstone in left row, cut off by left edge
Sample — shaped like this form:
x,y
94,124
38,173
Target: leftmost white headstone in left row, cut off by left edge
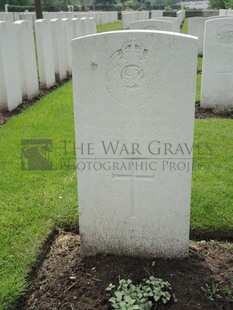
x,y
10,83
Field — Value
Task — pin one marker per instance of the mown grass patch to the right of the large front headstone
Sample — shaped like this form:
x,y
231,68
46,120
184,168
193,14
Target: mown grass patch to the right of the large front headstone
x,y
212,188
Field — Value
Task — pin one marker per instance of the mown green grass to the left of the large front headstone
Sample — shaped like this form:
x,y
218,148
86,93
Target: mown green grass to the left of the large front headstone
x,y
34,202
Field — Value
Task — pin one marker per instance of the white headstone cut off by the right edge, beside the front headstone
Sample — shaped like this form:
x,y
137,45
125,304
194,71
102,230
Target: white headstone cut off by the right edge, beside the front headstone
x,y
217,69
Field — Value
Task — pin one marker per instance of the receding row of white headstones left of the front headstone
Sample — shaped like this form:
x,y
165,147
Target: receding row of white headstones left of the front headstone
x,y
18,67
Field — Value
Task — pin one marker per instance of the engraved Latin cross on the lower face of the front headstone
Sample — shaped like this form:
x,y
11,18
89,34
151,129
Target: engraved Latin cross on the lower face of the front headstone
x,y
133,177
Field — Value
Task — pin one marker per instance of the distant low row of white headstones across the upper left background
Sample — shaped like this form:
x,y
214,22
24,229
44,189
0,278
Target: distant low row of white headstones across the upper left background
x,y
100,17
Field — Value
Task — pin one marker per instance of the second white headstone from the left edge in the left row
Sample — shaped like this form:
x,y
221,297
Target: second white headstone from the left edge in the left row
x,y
27,58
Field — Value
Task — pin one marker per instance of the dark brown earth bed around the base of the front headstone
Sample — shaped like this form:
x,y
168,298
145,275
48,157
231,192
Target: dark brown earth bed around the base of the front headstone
x,y
66,281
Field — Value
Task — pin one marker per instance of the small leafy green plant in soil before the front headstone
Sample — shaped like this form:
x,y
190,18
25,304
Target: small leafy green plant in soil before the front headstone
x,y
143,296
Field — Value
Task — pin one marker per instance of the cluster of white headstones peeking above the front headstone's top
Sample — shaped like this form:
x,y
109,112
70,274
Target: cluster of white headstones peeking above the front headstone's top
x,y
132,21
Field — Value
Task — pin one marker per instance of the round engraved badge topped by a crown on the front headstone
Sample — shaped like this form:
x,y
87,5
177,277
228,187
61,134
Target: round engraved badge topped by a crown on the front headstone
x,y
133,80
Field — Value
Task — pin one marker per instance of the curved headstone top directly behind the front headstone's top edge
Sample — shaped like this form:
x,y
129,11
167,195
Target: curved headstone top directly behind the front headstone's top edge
x,y
151,24
